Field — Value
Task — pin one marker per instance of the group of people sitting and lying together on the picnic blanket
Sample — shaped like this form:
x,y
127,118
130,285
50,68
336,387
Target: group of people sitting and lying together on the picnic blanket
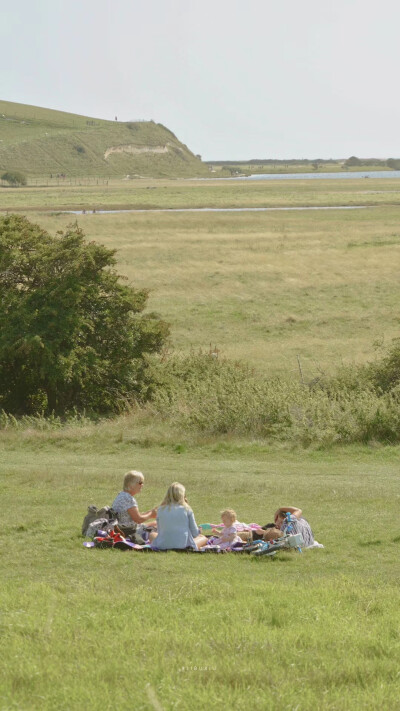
x,y
175,526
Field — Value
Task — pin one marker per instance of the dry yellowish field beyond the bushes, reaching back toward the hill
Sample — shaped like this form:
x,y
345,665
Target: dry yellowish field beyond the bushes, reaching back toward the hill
x,y
264,287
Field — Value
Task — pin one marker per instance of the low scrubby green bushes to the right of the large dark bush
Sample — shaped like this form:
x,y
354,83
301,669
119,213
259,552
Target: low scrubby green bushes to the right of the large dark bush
x,y
204,395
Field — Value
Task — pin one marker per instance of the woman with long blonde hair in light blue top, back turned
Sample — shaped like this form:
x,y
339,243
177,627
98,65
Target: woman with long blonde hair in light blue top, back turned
x,y
176,525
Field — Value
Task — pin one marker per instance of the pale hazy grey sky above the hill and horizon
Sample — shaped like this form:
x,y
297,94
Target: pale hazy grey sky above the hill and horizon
x,y
233,79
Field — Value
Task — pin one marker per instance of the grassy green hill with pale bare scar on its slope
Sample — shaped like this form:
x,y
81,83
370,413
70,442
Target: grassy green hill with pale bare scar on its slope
x,y
38,142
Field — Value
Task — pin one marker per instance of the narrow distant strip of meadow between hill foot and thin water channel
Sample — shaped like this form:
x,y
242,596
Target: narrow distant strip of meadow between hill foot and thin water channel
x,y
83,193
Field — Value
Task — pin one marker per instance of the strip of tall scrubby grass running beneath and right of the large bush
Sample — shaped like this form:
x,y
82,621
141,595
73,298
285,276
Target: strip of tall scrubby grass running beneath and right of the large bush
x,y
199,396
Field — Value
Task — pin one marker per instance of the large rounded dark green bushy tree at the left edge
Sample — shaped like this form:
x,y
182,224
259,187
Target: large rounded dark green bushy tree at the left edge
x,y
71,334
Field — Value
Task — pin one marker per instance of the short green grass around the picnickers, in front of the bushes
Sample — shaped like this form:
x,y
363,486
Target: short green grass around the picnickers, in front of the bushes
x,y
104,628
